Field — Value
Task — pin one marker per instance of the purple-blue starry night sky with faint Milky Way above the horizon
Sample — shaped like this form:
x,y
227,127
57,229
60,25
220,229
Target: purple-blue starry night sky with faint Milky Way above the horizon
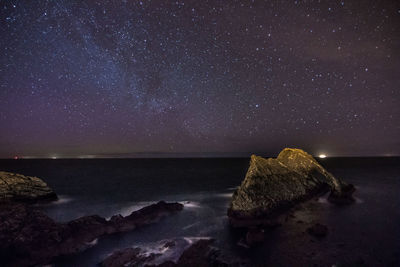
x,y
112,78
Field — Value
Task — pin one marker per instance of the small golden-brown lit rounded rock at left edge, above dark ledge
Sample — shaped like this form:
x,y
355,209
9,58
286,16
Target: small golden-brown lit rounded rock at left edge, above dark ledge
x,y
18,187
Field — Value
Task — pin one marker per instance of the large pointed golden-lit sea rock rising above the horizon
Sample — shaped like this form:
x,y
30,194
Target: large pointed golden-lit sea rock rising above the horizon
x,y
275,184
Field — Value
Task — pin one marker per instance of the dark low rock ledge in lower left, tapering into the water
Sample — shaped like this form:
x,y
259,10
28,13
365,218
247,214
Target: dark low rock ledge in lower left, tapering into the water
x,y
29,237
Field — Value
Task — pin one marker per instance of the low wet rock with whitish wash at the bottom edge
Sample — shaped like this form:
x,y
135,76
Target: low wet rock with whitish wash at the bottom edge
x,y
168,253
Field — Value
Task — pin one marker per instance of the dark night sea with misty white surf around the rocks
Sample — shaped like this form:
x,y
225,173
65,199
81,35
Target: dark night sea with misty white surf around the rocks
x,y
366,233
